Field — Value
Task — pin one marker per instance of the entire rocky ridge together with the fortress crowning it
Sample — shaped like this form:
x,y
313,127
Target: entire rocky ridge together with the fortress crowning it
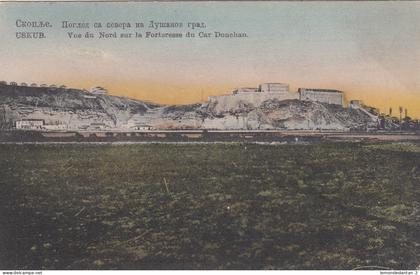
x,y
268,106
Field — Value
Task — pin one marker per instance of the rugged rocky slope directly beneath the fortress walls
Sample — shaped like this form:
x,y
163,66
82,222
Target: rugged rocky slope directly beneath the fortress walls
x,y
288,114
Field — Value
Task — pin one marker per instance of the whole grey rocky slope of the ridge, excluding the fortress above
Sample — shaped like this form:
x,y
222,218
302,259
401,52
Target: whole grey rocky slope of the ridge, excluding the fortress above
x,y
77,110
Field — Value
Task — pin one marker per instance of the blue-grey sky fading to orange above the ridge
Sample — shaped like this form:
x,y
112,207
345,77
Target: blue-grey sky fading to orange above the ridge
x,y
369,50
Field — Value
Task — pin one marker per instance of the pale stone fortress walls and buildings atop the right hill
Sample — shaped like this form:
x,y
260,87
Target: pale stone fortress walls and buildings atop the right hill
x,y
279,91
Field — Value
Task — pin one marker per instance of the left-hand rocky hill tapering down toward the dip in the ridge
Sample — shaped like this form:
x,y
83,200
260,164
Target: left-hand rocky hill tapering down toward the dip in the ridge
x,y
68,108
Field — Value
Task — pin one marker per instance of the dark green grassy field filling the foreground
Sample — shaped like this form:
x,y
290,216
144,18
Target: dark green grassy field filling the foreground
x,y
209,206
